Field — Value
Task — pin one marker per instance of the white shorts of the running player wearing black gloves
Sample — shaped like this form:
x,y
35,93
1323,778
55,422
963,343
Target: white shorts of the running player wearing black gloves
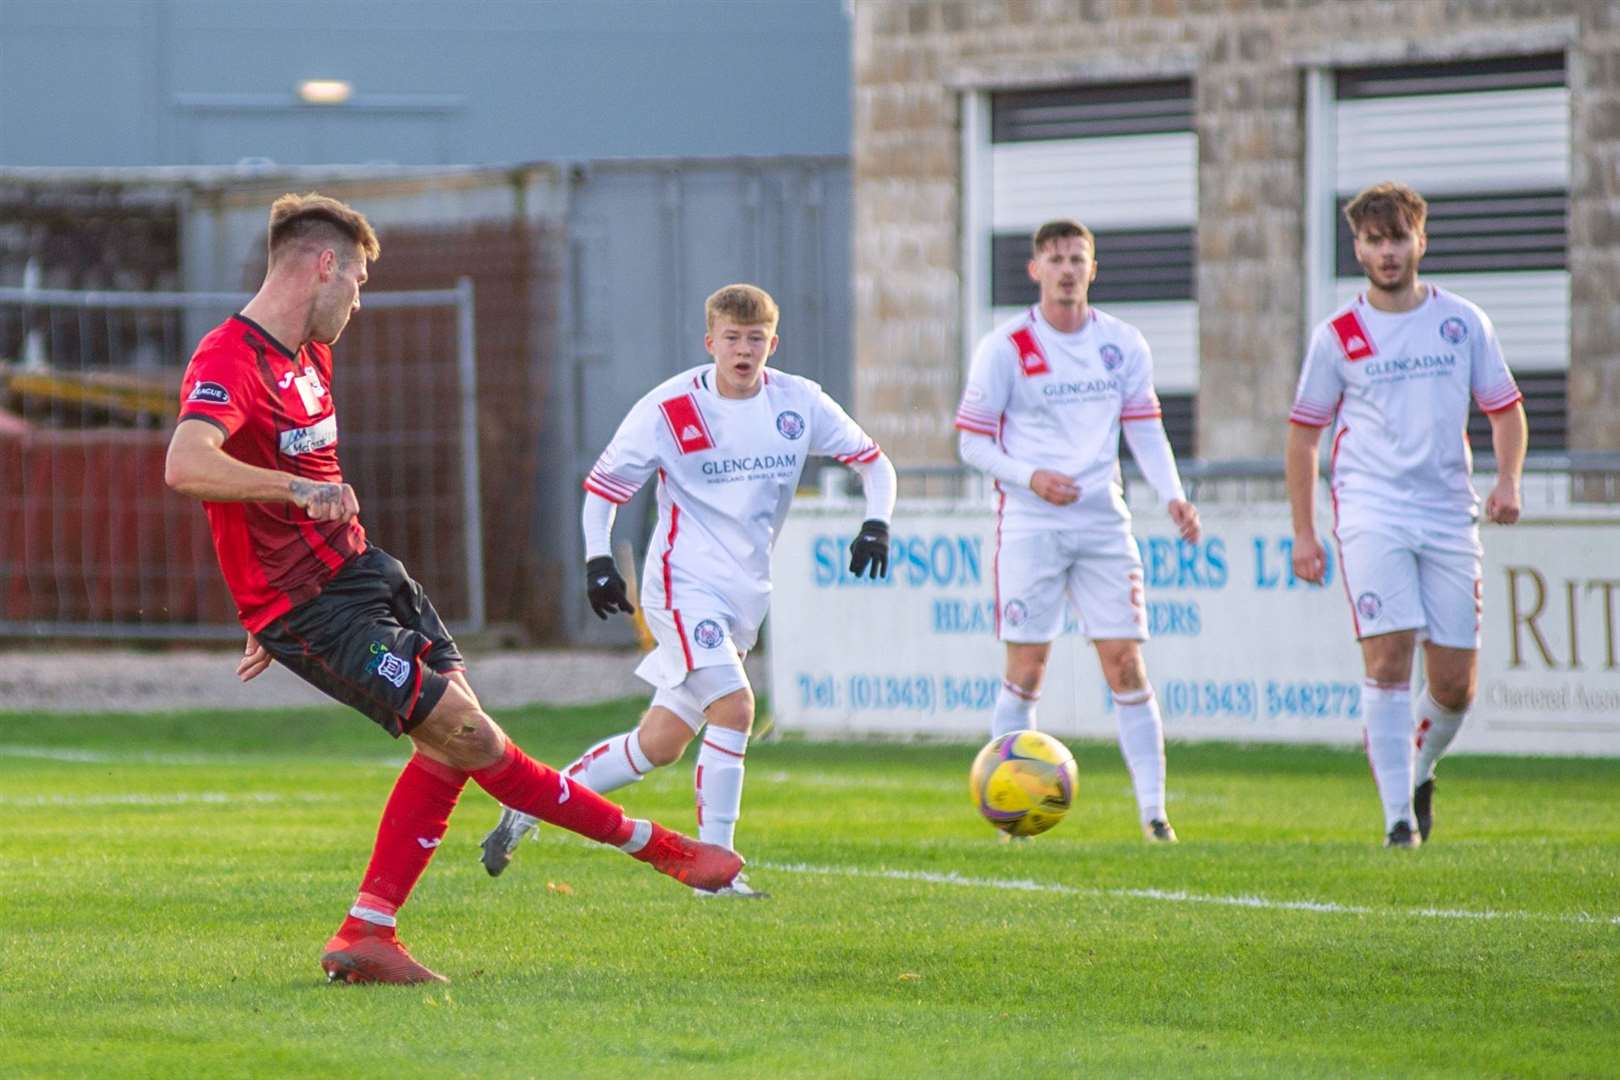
x,y
696,663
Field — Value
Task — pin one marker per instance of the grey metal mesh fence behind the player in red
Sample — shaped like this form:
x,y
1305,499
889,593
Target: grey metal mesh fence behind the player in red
x,y
92,540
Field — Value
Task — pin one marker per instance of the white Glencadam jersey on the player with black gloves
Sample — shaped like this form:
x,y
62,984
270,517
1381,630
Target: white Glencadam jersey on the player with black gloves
x,y
727,475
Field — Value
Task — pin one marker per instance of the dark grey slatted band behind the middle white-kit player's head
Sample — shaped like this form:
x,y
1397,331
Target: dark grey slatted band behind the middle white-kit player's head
x,y
1135,265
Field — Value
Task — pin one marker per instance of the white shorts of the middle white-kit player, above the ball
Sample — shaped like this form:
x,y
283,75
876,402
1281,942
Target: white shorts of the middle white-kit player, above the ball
x,y
1101,579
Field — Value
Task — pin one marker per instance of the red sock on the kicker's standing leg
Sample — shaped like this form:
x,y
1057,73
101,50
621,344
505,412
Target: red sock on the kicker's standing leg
x,y
414,822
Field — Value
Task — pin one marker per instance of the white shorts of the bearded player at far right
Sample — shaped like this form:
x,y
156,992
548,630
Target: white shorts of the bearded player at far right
x,y
1409,576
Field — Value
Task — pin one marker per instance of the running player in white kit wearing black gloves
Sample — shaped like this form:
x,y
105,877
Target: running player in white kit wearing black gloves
x,y
728,443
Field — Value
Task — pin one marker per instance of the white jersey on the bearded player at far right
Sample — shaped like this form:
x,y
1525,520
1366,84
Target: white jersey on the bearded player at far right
x,y
1397,388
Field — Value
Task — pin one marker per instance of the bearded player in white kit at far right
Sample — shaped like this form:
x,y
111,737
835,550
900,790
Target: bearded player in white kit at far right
x,y
1392,372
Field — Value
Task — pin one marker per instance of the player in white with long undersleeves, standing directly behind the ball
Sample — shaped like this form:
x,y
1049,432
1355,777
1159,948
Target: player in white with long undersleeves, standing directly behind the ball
x,y
1042,412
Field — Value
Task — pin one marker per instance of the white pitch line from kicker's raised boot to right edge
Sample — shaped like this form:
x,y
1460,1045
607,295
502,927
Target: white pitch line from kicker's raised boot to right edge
x,y
1177,896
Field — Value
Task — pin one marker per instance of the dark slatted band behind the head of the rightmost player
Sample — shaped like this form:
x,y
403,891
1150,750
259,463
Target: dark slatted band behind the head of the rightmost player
x,y
1483,234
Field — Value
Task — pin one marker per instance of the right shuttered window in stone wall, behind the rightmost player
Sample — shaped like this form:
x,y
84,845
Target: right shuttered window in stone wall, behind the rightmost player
x,y
1498,206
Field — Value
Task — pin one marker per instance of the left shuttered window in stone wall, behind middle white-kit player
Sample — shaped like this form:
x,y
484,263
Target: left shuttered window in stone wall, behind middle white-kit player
x,y
1122,158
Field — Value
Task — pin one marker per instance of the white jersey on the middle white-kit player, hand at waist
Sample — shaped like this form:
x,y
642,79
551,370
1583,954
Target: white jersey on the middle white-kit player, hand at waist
x,y
1055,401
